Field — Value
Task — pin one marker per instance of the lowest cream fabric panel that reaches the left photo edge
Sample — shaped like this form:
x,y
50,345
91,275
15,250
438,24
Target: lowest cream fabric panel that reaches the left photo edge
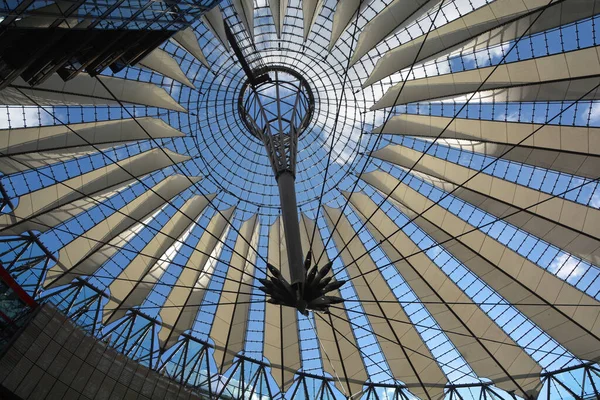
x,y
54,204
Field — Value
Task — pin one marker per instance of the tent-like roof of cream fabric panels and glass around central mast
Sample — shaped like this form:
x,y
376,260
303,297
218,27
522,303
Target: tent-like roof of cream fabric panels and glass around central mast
x,y
449,172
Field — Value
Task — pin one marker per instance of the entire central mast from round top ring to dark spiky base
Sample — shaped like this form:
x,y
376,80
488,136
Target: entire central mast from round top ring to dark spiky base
x,y
276,105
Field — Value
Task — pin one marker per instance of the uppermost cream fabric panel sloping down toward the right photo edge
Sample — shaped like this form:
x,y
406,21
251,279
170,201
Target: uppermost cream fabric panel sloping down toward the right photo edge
x,y
569,149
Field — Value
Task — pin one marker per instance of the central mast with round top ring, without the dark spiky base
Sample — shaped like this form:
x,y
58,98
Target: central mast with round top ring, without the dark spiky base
x,y
276,105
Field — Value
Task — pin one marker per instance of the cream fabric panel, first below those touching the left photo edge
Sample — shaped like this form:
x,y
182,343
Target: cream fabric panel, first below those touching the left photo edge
x,y
74,258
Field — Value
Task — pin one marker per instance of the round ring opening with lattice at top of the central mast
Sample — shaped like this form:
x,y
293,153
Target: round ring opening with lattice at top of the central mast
x,y
282,103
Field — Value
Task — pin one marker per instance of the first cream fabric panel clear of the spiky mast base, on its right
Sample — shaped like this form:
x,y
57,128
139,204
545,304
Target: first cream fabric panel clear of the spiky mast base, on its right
x,y
408,357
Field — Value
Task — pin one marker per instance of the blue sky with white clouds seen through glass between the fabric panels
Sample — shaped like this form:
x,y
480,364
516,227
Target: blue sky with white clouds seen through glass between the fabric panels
x,y
226,156
